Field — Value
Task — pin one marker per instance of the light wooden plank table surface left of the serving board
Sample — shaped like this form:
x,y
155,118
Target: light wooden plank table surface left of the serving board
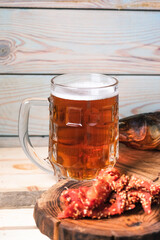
x,y
21,183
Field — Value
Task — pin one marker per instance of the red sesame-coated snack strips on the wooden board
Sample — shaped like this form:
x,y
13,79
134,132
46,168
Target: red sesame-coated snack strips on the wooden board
x,y
110,194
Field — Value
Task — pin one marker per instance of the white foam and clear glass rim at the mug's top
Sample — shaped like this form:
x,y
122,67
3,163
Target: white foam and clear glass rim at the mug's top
x,y
84,87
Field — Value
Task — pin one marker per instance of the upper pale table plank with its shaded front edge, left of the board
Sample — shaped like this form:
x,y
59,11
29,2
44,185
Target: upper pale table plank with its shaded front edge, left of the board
x,y
21,182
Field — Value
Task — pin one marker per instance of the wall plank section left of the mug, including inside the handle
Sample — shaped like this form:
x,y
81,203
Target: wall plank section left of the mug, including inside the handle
x,y
14,89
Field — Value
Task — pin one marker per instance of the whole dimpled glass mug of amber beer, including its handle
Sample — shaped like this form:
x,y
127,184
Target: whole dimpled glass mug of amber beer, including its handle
x,y
83,128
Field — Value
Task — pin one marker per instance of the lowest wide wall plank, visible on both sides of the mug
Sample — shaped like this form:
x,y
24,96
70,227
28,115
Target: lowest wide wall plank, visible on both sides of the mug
x,y
138,94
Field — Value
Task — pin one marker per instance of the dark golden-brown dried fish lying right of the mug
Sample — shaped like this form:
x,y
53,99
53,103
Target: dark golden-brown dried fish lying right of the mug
x,y
141,131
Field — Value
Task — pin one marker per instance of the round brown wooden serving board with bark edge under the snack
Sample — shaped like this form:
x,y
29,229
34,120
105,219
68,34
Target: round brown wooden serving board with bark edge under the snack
x,y
134,224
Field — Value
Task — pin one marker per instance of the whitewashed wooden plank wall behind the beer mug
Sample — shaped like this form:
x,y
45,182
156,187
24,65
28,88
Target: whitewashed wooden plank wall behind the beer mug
x,y
39,40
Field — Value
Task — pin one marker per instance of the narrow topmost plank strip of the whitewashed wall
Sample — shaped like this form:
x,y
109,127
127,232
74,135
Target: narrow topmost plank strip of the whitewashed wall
x,y
103,4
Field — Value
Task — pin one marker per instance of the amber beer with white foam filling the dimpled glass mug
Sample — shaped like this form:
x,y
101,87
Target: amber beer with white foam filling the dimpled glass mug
x,y
83,132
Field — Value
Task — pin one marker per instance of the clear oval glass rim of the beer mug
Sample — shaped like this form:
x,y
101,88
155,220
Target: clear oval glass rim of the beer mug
x,y
78,74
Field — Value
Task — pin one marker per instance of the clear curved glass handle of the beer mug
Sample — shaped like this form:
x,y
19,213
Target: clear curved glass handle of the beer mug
x,y
23,133
